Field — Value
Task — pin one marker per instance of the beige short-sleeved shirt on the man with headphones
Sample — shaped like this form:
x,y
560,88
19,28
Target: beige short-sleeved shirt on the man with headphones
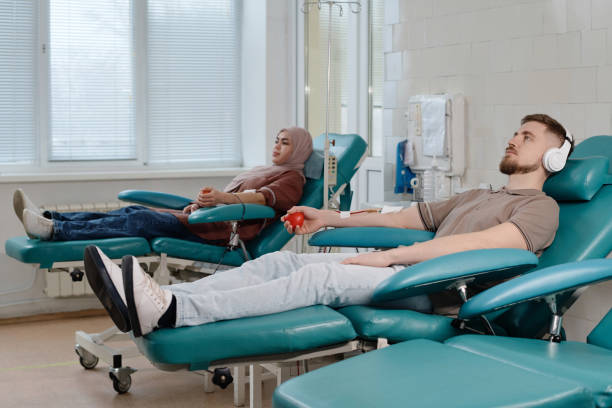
x,y
534,213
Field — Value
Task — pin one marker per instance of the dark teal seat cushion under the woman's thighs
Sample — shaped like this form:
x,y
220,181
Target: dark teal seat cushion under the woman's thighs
x,y
178,248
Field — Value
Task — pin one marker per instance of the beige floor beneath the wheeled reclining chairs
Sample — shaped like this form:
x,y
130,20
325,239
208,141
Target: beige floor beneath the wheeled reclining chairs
x,y
39,368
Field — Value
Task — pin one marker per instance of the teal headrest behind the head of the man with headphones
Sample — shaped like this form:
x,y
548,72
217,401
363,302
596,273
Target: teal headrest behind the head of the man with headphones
x,y
580,180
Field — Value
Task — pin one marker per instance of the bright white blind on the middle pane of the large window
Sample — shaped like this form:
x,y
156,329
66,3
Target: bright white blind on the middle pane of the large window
x,y
90,80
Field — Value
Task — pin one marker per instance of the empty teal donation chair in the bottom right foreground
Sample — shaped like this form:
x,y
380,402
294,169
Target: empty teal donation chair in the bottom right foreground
x,y
478,371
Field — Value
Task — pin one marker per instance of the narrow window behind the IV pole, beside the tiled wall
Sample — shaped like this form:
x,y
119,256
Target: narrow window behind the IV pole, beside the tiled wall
x,y
357,64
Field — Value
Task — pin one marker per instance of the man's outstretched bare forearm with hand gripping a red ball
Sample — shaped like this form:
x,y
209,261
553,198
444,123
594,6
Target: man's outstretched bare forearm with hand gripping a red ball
x,y
316,219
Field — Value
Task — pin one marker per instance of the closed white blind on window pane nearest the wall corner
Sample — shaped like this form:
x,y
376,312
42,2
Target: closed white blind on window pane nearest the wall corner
x,y
194,84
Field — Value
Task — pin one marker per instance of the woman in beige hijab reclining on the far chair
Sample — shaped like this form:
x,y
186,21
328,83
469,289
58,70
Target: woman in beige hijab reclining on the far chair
x,y
278,186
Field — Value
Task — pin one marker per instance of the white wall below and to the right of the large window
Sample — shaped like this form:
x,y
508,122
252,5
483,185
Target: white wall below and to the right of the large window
x,y
269,105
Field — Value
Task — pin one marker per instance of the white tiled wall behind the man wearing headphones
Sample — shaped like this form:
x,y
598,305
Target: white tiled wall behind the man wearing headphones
x,y
509,58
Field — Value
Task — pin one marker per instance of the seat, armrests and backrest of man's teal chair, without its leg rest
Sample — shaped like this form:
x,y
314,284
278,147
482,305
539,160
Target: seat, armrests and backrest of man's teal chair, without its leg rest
x,y
583,191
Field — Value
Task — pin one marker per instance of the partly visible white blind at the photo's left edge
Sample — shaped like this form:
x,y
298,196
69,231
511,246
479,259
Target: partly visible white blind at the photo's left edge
x,y
18,24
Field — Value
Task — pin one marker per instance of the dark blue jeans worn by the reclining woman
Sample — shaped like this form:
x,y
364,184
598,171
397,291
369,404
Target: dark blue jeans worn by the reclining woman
x,y
132,221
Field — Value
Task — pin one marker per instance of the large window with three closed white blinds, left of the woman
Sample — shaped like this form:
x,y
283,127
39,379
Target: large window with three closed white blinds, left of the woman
x,y
135,82
